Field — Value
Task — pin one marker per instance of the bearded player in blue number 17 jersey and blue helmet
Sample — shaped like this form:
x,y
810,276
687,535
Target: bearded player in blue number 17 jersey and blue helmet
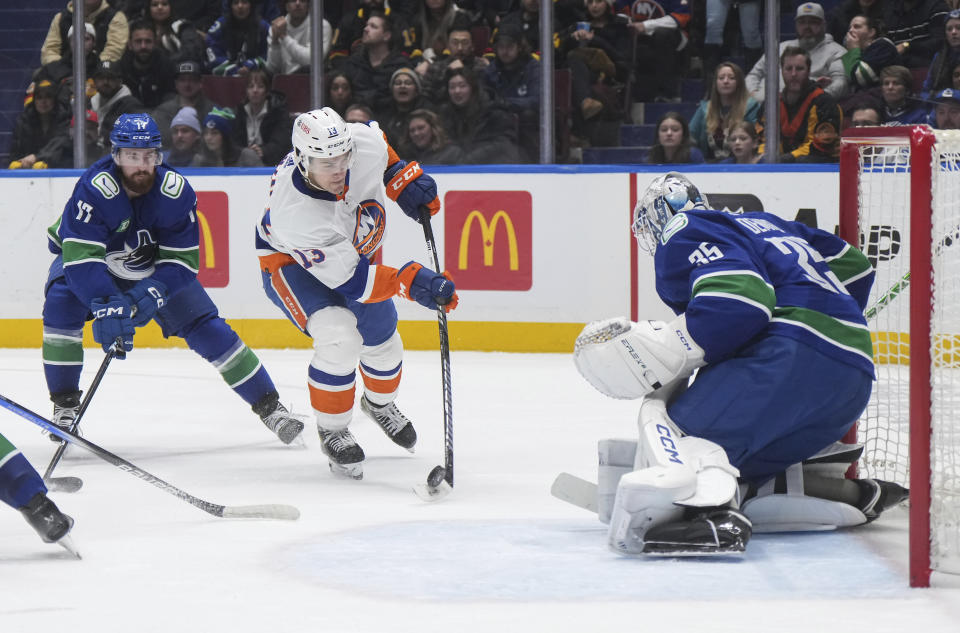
x,y
127,252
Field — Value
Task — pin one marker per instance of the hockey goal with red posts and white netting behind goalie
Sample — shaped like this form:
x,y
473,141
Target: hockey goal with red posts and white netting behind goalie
x,y
900,202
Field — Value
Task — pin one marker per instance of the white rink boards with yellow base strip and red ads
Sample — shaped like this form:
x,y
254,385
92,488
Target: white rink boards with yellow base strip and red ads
x,y
536,251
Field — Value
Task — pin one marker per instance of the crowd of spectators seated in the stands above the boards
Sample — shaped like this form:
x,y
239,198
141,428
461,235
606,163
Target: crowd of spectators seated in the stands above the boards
x,y
458,81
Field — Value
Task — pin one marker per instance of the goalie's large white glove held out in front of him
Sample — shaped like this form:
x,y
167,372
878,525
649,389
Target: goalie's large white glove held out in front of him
x,y
627,360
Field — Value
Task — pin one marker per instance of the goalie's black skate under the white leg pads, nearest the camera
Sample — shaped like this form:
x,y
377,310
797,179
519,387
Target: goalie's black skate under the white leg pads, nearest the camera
x,y
702,532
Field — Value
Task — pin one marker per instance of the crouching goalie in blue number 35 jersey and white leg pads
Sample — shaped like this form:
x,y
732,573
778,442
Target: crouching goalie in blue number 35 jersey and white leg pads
x,y
771,312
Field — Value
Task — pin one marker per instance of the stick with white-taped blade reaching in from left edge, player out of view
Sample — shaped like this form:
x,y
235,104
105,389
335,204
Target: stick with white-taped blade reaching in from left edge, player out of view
x,y
268,511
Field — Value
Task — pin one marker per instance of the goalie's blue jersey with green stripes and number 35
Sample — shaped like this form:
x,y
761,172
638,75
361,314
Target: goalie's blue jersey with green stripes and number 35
x,y
742,276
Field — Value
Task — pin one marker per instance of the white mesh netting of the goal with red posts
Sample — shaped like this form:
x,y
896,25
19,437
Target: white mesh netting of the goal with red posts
x,y
885,227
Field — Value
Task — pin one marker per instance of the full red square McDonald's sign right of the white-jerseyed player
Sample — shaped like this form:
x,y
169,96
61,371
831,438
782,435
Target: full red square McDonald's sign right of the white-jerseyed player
x,y
489,239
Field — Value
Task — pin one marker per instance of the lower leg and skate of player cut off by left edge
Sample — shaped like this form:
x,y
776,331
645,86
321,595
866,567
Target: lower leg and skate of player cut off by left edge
x,y
22,488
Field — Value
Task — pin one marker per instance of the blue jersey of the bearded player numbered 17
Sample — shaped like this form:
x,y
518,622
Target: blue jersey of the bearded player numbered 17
x,y
104,234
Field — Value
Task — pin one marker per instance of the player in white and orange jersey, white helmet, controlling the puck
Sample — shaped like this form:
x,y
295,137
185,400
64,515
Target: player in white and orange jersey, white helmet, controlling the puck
x,y
324,222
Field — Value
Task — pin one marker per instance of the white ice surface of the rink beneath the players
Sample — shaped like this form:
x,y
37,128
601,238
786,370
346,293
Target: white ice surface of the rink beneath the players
x,y
499,554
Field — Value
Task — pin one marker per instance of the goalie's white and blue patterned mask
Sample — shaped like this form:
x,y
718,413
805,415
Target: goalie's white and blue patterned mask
x,y
666,196
